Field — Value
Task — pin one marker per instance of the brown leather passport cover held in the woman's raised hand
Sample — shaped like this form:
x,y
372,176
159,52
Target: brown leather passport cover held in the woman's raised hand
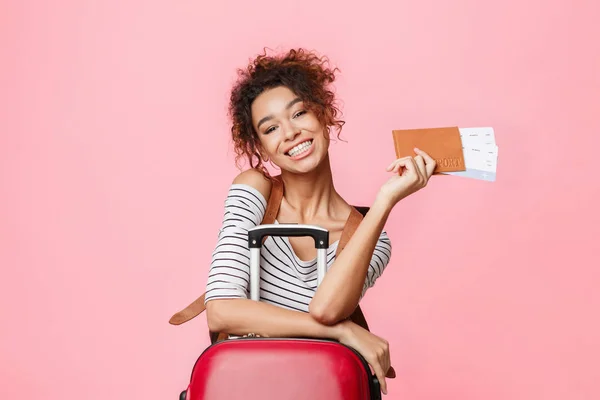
x,y
442,144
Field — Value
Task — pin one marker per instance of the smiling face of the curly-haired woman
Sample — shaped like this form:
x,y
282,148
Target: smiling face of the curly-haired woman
x,y
290,134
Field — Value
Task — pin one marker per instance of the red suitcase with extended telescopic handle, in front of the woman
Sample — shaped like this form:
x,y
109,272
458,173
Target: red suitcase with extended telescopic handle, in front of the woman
x,y
252,368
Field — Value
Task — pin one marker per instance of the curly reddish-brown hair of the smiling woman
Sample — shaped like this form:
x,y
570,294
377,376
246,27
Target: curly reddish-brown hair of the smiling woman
x,y
307,75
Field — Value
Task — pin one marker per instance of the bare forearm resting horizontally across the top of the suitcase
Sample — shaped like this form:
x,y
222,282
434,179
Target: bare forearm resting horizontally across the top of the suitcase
x,y
242,316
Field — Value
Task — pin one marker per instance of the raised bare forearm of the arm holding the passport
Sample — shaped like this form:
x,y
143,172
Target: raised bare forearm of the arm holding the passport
x,y
339,293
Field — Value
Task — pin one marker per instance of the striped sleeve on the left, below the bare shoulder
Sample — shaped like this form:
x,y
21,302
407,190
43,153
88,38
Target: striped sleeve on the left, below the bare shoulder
x,y
229,272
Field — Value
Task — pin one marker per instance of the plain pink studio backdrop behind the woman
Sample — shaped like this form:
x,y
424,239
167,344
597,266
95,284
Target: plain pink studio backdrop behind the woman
x,y
115,161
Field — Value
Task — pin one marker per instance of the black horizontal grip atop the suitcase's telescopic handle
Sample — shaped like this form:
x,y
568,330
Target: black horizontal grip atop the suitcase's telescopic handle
x,y
256,234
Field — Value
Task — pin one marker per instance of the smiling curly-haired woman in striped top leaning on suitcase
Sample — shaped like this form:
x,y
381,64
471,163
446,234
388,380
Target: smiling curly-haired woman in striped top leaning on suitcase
x,y
283,112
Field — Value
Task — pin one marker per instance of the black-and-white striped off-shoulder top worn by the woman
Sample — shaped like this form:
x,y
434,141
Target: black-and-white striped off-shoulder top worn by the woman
x,y
286,280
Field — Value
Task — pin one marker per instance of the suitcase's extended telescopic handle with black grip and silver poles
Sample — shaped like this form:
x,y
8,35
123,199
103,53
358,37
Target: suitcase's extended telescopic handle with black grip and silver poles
x,y
255,238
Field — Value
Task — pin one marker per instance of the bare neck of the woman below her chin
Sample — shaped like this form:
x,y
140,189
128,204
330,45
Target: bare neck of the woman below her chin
x,y
311,194
